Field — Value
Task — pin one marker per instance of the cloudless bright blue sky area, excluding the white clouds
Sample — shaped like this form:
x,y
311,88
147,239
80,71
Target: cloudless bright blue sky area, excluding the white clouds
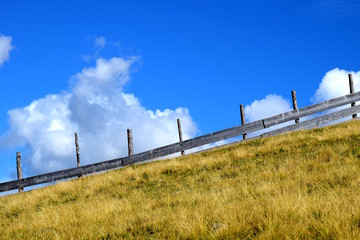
x,y
207,56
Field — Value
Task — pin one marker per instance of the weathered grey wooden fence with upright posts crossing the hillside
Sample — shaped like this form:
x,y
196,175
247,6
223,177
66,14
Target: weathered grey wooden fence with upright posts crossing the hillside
x,y
181,146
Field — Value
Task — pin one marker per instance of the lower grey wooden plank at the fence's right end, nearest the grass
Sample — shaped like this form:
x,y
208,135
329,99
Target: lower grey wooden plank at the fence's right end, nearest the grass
x,y
315,121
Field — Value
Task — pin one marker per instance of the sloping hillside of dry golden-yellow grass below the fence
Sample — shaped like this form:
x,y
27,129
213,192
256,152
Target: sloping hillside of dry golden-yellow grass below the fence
x,y
298,185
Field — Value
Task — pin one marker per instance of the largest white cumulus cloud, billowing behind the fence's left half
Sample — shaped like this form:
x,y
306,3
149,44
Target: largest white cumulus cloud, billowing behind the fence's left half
x,y
100,111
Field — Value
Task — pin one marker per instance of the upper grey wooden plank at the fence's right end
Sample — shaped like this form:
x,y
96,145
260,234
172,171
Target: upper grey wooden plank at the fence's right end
x,y
306,111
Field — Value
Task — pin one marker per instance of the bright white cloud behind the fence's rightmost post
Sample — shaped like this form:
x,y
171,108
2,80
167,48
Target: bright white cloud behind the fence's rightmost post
x,y
334,84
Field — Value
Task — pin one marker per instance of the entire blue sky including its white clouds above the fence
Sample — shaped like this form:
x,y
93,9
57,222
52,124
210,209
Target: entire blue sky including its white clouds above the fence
x,y
193,60
